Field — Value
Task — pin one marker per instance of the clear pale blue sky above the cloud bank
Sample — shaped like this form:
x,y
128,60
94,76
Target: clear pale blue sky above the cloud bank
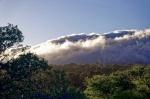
x,y
41,20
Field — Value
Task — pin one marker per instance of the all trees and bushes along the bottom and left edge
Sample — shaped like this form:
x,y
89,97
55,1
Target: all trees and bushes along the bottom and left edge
x,y
30,77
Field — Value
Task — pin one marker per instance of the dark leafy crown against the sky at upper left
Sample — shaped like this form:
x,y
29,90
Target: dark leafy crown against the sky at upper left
x,y
9,35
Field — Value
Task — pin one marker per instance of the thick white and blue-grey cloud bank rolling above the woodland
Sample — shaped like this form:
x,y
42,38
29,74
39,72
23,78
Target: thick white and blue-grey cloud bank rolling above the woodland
x,y
117,47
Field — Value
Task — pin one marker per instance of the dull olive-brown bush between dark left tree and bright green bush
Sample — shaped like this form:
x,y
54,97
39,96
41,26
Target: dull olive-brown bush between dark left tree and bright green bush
x,y
54,84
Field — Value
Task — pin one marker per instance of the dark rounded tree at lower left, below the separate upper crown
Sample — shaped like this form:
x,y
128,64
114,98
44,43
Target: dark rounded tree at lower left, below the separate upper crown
x,y
16,77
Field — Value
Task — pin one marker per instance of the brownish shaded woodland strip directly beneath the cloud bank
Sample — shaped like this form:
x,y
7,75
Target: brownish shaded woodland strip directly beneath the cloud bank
x,y
77,73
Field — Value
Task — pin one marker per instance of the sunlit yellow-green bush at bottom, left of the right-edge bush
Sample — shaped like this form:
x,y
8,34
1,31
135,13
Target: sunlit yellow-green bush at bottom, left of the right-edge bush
x,y
106,86
